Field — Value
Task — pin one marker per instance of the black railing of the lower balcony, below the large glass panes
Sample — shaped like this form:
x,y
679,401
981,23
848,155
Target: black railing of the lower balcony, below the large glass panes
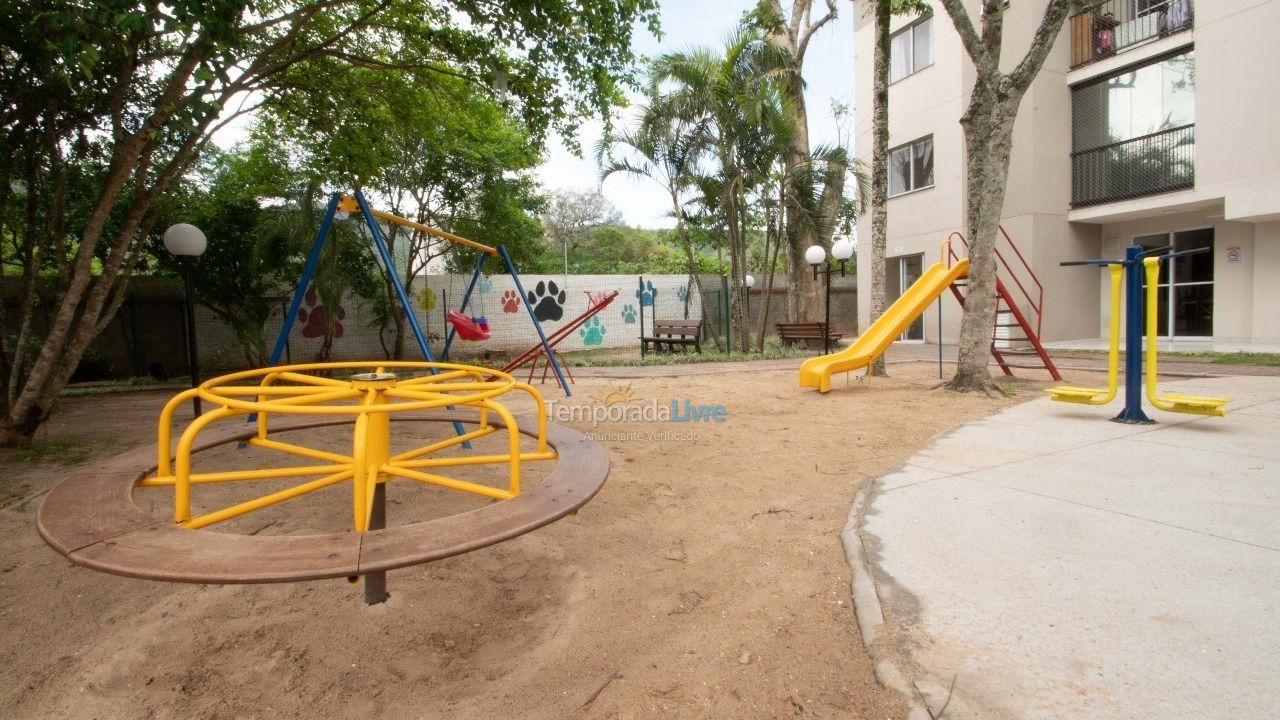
x,y
1155,163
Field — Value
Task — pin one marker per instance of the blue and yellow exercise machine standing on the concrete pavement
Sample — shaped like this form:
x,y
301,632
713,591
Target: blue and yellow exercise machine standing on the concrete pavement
x,y
1136,302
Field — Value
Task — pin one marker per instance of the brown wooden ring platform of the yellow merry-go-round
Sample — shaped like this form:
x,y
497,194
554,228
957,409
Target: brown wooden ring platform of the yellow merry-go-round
x,y
94,522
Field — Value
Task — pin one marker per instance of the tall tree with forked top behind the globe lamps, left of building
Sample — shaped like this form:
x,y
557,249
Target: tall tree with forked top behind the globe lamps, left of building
x,y
793,35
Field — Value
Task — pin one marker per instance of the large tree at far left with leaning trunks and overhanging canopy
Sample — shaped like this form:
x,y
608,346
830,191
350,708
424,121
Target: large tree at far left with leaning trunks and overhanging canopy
x,y
135,92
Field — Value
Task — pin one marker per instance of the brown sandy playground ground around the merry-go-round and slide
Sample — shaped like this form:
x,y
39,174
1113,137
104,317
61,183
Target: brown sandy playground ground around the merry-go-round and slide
x,y
706,581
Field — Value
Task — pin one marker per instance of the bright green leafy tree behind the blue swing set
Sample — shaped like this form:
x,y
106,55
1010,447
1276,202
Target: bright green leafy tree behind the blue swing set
x,y
444,154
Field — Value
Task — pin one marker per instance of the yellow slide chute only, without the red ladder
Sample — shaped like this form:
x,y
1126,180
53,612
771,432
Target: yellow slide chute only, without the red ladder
x,y
816,372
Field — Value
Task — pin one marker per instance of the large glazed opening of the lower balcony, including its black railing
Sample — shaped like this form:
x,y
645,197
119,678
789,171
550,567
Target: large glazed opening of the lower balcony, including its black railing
x,y
1133,134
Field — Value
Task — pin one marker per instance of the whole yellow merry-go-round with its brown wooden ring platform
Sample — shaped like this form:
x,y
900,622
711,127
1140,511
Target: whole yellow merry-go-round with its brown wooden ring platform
x,y
94,521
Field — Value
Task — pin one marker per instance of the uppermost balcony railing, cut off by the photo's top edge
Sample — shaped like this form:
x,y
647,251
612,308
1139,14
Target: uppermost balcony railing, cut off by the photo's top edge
x,y
1101,30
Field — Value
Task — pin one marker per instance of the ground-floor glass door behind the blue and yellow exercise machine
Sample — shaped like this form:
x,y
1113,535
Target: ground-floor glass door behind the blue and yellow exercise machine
x,y
1186,285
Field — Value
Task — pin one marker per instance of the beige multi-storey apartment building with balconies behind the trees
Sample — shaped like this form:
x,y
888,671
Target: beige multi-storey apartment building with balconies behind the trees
x,y
1154,122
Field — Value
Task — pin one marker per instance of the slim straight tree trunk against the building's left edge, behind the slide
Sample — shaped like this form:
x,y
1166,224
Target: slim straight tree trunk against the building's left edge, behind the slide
x,y
880,168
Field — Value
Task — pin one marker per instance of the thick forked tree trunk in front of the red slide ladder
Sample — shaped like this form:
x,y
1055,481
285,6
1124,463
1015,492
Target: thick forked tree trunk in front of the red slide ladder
x,y
989,129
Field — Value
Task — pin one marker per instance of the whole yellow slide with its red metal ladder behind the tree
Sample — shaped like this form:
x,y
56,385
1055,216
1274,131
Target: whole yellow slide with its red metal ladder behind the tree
x,y
950,272
